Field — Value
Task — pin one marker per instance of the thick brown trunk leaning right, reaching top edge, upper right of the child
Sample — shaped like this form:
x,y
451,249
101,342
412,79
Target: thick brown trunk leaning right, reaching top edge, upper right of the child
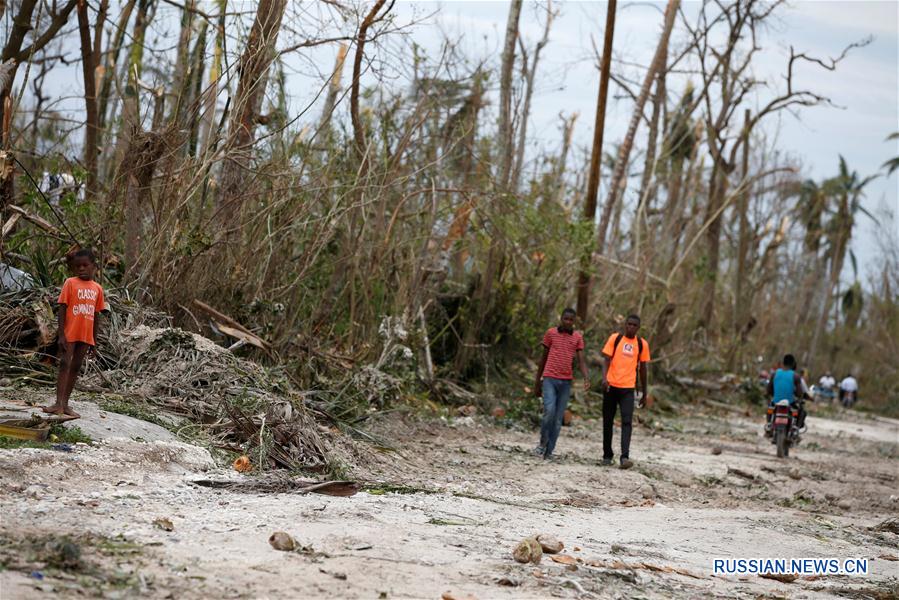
x,y
254,64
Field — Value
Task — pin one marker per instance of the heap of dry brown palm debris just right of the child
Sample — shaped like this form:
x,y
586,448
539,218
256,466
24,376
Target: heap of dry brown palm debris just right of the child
x,y
243,406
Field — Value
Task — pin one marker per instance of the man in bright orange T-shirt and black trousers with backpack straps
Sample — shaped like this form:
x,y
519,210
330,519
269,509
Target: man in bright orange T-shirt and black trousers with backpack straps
x,y
623,355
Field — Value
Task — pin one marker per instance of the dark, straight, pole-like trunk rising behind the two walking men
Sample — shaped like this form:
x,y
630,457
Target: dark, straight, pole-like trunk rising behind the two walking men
x,y
584,279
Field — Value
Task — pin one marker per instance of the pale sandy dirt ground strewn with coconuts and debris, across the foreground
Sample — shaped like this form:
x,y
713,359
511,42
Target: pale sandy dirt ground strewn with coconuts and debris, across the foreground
x,y
481,493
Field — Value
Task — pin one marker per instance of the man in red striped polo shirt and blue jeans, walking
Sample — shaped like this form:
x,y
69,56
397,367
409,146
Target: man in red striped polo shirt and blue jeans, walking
x,y
560,344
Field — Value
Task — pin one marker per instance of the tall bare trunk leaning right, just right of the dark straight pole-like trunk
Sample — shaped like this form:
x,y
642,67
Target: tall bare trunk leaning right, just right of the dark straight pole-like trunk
x,y
619,176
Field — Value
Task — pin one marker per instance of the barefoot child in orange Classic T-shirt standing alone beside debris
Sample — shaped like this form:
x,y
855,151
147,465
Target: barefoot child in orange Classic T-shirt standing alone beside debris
x,y
80,304
